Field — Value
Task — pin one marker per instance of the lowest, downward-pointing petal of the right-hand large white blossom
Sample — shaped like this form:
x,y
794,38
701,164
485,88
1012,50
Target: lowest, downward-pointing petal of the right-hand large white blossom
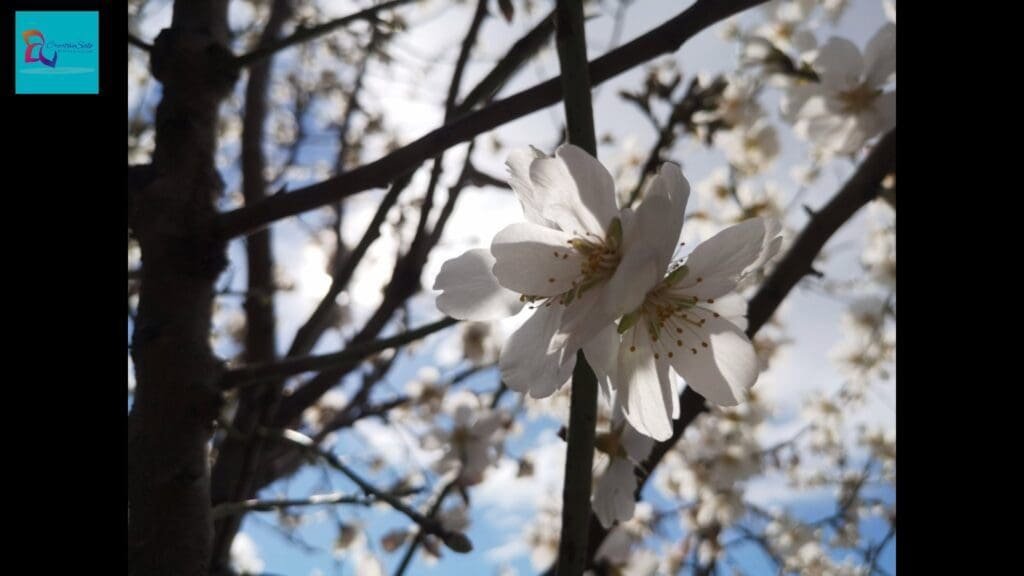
x,y
644,395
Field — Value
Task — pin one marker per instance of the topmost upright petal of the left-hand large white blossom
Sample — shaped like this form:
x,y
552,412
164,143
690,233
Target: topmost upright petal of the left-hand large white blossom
x,y
578,193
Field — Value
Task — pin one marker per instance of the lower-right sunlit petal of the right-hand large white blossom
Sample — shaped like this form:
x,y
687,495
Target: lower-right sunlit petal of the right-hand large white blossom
x,y
724,371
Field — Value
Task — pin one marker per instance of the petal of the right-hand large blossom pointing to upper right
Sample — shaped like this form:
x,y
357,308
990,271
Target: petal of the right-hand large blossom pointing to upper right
x,y
719,263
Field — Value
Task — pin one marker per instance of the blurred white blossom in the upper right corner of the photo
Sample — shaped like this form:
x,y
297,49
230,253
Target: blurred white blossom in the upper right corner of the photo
x,y
850,105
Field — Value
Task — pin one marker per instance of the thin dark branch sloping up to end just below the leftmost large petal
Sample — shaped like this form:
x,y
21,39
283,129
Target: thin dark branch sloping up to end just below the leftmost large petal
x,y
258,374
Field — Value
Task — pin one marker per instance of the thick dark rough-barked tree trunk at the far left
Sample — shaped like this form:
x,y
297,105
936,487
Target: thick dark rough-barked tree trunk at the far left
x,y
177,401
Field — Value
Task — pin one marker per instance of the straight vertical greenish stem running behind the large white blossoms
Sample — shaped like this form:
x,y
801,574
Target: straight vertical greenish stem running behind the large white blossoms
x,y
572,43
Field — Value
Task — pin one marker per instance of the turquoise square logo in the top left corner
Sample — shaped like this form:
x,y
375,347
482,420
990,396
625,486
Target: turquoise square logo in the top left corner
x,y
57,53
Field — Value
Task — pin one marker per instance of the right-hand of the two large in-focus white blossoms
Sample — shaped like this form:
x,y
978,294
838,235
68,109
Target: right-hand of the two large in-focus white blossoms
x,y
692,323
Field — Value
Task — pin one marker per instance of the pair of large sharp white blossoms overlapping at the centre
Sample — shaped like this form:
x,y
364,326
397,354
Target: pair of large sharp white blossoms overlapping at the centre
x,y
603,279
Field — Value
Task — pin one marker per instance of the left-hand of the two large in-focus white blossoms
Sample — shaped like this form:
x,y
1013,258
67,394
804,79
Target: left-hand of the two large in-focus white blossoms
x,y
575,260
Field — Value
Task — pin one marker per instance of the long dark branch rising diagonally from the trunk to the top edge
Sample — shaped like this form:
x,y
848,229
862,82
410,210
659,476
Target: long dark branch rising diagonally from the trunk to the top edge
x,y
666,38
